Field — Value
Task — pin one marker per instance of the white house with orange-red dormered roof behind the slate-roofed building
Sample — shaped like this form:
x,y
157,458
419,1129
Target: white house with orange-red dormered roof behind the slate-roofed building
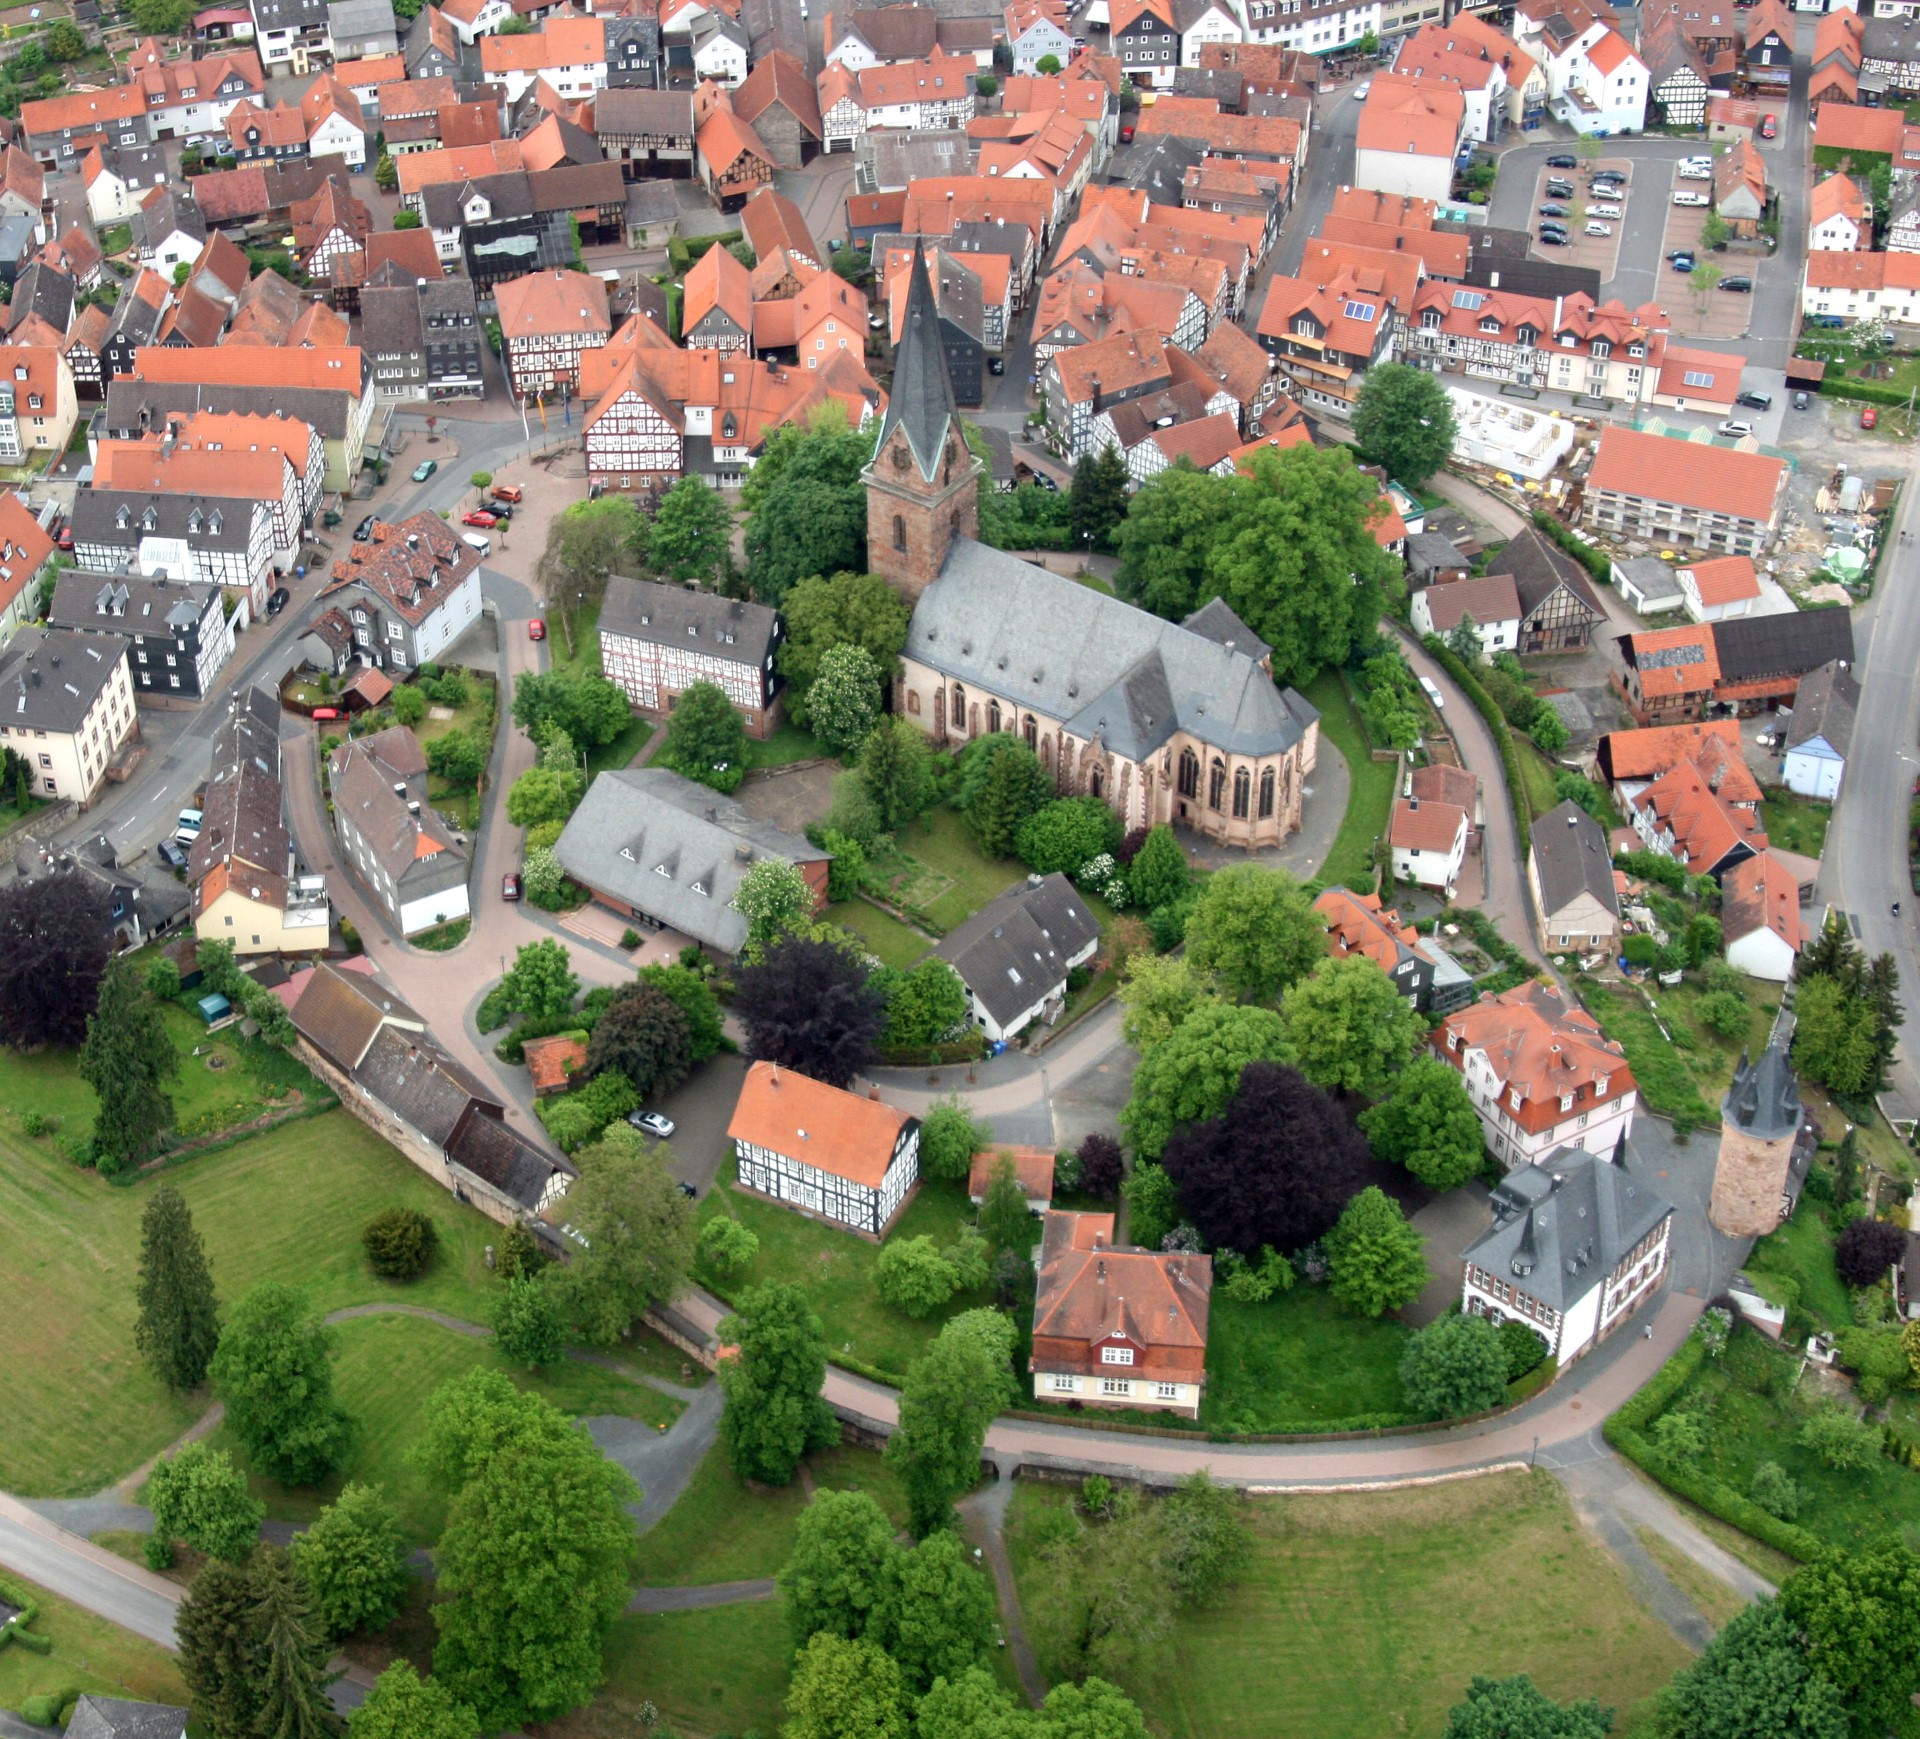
x,y
1541,1074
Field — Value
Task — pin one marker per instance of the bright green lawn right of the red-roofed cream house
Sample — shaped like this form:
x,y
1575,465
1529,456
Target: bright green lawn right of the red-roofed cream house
x,y
1299,1362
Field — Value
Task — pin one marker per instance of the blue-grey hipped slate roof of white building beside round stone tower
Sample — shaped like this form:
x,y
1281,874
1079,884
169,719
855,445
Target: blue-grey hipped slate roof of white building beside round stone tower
x,y
1564,1226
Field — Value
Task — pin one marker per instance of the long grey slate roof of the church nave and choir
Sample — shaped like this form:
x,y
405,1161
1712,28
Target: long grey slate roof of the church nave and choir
x,y
1103,667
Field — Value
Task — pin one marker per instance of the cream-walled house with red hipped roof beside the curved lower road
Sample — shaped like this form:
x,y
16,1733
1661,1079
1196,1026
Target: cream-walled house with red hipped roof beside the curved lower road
x,y
1118,1327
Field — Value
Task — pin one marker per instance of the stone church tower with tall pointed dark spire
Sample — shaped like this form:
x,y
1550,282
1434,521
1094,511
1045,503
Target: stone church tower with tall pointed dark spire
x,y
923,485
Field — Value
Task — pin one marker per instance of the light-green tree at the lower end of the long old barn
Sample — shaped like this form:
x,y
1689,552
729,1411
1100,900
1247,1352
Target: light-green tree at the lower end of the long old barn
x,y
636,1237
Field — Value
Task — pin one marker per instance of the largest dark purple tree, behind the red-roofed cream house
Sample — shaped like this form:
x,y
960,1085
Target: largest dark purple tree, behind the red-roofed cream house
x,y
1276,1168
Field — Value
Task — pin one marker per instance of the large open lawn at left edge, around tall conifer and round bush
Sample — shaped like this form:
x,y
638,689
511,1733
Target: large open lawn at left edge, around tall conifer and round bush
x,y
82,1408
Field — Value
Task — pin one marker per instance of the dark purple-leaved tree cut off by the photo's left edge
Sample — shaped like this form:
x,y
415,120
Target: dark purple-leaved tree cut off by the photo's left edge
x,y
53,955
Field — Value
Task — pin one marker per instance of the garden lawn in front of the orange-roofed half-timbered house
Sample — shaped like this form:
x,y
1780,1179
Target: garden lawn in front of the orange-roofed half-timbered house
x,y
836,1270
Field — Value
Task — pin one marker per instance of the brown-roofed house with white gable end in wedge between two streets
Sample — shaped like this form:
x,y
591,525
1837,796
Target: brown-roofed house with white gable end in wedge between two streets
x,y
396,846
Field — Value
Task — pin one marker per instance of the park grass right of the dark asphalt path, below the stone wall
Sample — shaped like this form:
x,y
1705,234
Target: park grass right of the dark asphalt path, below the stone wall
x,y
725,1531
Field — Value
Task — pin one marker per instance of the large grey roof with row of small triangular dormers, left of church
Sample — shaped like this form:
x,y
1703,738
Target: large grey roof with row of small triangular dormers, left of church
x,y
673,849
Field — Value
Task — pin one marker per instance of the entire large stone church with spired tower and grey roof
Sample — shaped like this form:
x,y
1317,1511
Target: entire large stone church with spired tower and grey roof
x,y
1164,721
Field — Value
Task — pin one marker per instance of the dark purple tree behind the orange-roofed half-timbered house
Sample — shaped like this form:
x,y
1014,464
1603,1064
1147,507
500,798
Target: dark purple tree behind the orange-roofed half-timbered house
x,y
811,1007
